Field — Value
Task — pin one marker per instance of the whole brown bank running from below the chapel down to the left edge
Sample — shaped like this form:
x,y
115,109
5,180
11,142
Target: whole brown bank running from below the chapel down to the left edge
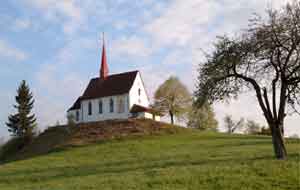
x,y
61,136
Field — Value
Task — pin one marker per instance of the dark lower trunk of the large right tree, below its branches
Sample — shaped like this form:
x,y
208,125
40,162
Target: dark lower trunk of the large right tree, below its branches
x,y
278,142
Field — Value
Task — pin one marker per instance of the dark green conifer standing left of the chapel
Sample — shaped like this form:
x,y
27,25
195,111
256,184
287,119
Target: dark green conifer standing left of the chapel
x,y
21,124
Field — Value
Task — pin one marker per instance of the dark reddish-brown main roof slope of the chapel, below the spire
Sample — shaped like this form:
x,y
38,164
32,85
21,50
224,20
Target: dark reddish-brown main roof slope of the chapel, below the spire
x,y
112,85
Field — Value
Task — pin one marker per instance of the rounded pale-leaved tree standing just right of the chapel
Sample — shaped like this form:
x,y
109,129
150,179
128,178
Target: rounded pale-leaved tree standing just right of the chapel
x,y
172,97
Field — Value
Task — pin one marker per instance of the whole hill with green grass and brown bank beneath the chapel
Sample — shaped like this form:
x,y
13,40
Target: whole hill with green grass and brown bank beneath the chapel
x,y
148,157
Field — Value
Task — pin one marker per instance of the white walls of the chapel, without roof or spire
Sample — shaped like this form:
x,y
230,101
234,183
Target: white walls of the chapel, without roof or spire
x,y
113,107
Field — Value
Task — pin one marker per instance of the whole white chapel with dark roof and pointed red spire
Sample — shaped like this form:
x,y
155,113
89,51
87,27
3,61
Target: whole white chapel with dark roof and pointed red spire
x,y
115,96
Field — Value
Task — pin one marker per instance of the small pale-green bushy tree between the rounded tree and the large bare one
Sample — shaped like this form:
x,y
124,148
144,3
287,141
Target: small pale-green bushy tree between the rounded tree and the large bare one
x,y
202,118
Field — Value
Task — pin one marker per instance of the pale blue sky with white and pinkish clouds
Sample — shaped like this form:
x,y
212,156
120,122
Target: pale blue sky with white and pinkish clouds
x,y
55,46
